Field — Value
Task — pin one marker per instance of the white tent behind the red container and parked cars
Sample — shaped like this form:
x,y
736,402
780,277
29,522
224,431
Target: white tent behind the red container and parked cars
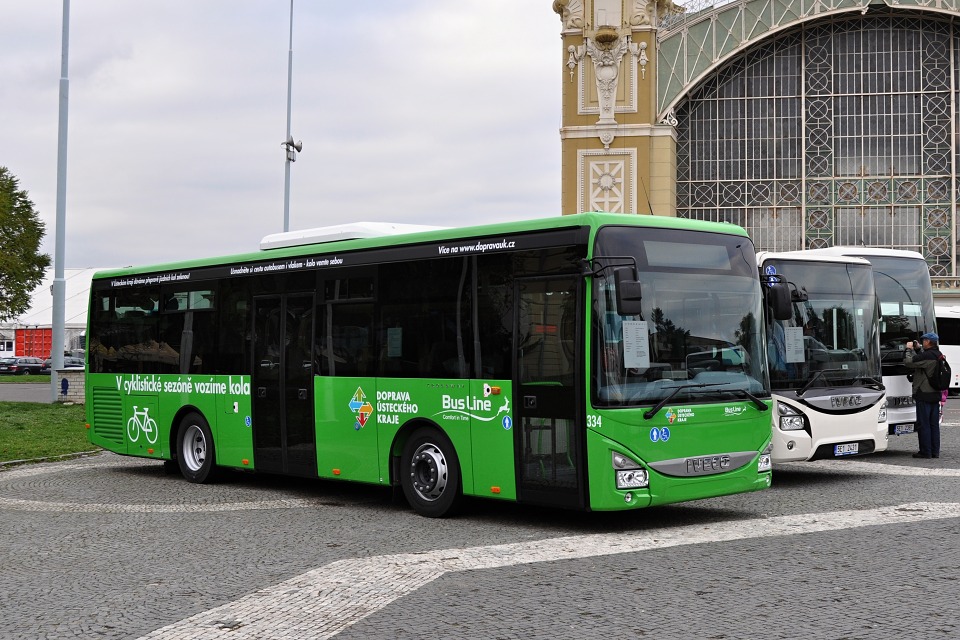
x,y
40,313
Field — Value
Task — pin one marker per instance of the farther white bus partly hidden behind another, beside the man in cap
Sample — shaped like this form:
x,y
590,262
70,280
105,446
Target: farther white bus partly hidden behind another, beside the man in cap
x,y
906,312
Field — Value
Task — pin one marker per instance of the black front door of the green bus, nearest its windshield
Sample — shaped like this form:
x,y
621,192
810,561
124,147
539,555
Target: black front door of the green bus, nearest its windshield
x,y
549,441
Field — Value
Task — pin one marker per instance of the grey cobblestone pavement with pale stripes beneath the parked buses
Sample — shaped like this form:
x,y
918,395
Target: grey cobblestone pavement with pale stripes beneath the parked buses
x,y
111,547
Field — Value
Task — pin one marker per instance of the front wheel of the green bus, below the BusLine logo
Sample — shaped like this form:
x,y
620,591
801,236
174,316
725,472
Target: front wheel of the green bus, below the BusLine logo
x,y
430,474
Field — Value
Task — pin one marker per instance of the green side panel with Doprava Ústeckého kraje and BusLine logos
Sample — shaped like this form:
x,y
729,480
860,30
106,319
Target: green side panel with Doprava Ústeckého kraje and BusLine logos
x,y
359,419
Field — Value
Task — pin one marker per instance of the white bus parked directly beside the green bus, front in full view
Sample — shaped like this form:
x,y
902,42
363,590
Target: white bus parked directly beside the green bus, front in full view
x,y
824,361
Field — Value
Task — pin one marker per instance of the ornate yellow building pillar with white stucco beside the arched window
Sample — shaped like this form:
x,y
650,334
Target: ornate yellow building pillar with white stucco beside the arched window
x,y
615,156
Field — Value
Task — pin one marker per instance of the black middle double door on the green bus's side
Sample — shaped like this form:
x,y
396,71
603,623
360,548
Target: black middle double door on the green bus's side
x,y
284,437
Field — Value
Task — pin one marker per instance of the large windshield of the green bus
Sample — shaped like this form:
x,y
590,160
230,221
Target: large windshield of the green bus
x,y
698,338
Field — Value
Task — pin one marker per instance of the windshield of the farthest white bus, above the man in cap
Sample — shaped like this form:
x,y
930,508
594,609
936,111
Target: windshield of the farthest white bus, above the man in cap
x,y
906,302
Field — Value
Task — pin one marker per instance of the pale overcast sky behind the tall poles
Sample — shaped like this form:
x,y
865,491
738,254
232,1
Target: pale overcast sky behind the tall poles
x,y
421,111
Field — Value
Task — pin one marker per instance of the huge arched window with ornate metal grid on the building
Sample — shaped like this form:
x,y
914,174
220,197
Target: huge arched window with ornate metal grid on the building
x,y
837,132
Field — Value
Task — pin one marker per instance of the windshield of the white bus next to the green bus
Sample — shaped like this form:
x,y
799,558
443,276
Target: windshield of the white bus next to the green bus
x,y
831,338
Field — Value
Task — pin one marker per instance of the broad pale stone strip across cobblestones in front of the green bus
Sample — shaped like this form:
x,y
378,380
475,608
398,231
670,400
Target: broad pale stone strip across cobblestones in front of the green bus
x,y
323,602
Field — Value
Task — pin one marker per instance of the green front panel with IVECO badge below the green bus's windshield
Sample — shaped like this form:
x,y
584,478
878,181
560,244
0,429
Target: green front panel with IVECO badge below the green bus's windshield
x,y
692,431
